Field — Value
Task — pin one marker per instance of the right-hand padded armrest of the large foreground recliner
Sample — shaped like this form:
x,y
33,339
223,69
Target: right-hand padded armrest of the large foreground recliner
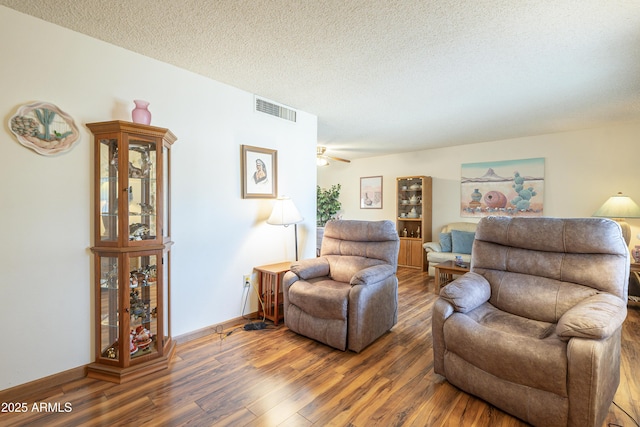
x,y
596,317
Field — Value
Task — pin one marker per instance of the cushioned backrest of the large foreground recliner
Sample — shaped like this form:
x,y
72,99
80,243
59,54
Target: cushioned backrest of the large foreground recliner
x,y
540,267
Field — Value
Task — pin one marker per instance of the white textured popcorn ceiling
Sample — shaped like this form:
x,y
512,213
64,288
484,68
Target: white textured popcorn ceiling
x,y
389,76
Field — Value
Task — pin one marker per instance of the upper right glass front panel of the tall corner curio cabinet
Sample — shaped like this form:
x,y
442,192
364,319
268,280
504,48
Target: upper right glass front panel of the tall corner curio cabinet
x,y
142,189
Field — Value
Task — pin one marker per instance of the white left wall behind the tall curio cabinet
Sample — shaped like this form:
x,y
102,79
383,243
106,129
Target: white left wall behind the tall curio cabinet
x,y
46,305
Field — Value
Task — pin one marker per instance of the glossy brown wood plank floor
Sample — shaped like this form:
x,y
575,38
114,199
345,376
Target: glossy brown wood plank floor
x,y
274,377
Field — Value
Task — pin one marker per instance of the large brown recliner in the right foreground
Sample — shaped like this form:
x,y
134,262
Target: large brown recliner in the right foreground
x,y
534,328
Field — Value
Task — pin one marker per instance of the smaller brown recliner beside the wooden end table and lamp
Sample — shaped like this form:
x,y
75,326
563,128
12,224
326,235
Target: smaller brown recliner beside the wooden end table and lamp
x,y
347,297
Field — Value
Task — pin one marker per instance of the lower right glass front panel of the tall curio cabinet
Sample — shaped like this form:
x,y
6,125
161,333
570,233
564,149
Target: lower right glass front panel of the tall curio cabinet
x,y
143,305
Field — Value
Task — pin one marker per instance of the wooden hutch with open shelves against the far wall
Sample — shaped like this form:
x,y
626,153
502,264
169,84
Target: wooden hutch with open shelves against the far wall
x,y
413,218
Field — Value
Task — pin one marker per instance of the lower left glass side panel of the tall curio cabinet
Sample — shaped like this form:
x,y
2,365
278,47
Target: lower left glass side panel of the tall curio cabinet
x,y
108,329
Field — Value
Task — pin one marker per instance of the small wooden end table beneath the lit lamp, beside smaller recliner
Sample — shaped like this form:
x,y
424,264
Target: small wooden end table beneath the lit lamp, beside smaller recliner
x,y
270,290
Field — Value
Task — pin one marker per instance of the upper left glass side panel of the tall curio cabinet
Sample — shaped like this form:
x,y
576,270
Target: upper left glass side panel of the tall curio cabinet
x,y
108,189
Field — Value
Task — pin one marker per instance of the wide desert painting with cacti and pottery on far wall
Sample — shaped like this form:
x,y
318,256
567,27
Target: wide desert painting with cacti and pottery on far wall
x,y
504,188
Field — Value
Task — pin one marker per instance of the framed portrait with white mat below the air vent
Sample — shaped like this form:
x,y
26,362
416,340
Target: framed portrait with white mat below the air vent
x,y
259,172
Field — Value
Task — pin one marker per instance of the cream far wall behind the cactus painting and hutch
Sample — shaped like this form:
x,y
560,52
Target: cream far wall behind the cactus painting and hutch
x,y
582,169
